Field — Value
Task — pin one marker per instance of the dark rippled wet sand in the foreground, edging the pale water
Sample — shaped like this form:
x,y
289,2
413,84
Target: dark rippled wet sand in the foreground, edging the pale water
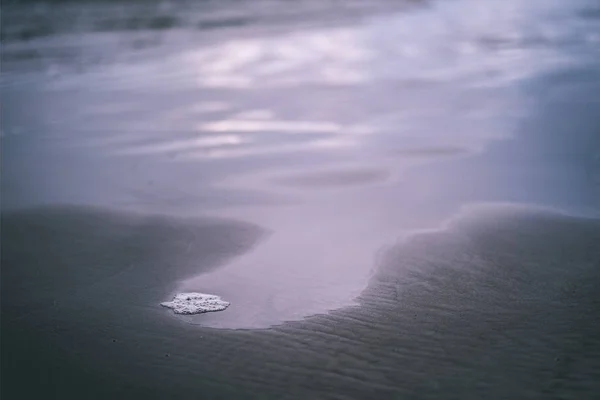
x,y
502,304
